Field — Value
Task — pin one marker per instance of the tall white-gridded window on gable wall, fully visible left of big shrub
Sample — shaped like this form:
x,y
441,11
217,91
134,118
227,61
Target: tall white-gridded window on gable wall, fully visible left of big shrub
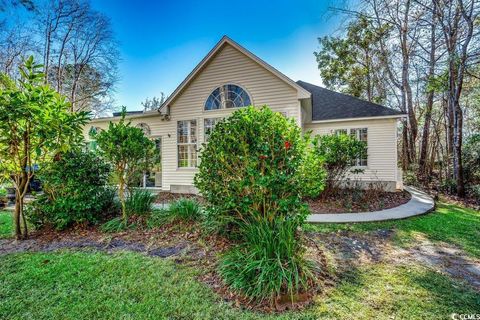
x,y
187,143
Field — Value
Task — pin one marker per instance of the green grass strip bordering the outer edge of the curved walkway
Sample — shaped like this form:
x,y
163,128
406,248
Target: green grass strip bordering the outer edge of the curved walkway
x,y
448,223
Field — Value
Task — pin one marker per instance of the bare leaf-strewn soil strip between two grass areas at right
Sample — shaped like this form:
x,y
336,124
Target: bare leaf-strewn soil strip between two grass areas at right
x,y
350,249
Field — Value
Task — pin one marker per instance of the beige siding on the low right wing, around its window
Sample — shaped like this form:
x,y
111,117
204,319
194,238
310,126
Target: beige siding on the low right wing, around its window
x,y
382,145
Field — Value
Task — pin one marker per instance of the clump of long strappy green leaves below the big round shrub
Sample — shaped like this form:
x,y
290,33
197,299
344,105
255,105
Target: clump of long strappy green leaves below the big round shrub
x,y
270,263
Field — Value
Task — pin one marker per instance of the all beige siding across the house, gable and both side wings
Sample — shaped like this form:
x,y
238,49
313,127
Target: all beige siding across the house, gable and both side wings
x,y
230,65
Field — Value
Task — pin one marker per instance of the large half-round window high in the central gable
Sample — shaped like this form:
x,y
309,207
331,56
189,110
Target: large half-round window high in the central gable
x,y
227,96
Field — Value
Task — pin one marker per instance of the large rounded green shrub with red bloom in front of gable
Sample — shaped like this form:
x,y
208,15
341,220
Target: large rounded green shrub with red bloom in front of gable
x,y
251,168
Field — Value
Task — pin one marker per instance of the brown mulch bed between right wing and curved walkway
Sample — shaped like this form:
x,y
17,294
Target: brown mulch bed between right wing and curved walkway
x,y
348,201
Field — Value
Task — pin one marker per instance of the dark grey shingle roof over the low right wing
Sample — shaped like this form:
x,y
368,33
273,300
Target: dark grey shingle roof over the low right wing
x,y
330,105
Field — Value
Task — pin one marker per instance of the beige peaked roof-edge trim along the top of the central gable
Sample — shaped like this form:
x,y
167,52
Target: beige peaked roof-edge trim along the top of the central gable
x,y
302,93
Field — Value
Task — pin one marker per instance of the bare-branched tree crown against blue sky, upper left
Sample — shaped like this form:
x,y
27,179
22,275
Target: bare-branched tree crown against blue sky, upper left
x,y
76,45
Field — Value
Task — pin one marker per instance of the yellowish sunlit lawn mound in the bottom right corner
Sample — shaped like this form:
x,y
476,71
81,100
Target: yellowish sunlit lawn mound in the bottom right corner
x,y
383,291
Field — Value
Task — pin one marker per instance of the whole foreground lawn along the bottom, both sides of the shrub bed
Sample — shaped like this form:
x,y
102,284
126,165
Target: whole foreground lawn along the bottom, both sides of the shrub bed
x,y
86,285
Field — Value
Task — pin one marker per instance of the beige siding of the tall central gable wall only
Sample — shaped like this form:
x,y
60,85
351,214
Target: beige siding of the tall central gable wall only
x,y
228,66
